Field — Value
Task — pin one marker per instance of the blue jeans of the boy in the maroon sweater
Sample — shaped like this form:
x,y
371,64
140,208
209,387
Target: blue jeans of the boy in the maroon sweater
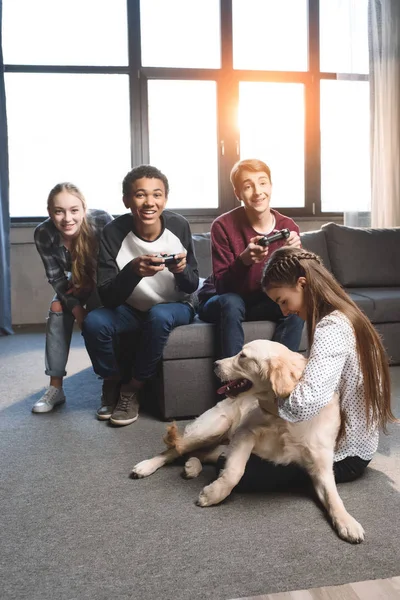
x,y
228,311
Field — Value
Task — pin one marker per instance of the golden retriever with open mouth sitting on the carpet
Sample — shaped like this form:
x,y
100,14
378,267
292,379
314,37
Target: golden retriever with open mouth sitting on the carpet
x,y
249,422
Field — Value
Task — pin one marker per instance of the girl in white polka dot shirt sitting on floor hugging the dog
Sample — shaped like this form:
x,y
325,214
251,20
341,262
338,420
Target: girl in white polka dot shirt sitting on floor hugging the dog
x,y
345,355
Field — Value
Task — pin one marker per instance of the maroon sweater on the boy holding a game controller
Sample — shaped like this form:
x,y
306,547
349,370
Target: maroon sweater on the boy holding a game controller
x,y
230,236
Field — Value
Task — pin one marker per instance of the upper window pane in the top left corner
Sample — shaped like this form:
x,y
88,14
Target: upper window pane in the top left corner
x,y
77,32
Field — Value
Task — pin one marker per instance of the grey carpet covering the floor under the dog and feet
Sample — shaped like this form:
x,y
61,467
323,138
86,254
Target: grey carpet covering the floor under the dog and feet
x,y
75,526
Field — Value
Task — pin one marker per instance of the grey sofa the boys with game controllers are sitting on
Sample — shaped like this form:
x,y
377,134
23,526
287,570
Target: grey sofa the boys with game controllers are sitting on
x,y
365,261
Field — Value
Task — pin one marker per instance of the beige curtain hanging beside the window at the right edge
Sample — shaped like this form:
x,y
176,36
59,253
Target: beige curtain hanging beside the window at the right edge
x,y
384,49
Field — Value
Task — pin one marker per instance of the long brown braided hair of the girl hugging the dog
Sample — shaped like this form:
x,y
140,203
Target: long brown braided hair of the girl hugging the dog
x,y
323,294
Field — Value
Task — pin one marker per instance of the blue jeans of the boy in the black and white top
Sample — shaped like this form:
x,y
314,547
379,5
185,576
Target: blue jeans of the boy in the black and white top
x,y
146,332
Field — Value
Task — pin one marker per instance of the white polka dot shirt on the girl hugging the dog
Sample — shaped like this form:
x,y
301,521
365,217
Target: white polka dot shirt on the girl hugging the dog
x,y
333,366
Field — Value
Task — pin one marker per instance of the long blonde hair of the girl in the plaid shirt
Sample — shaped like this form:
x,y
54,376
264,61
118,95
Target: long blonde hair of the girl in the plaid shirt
x,y
84,247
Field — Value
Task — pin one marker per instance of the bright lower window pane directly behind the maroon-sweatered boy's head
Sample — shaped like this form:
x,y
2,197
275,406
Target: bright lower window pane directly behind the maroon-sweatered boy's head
x,y
271,121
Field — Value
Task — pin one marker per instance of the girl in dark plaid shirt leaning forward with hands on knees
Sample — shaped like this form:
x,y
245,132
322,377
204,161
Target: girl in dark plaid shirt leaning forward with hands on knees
x,y
68,245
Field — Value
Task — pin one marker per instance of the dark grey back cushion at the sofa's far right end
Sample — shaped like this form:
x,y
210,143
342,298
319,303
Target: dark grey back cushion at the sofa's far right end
x,y
364,257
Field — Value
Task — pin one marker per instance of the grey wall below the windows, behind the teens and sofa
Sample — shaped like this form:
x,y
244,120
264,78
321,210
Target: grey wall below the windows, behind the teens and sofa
x,y
31,294
